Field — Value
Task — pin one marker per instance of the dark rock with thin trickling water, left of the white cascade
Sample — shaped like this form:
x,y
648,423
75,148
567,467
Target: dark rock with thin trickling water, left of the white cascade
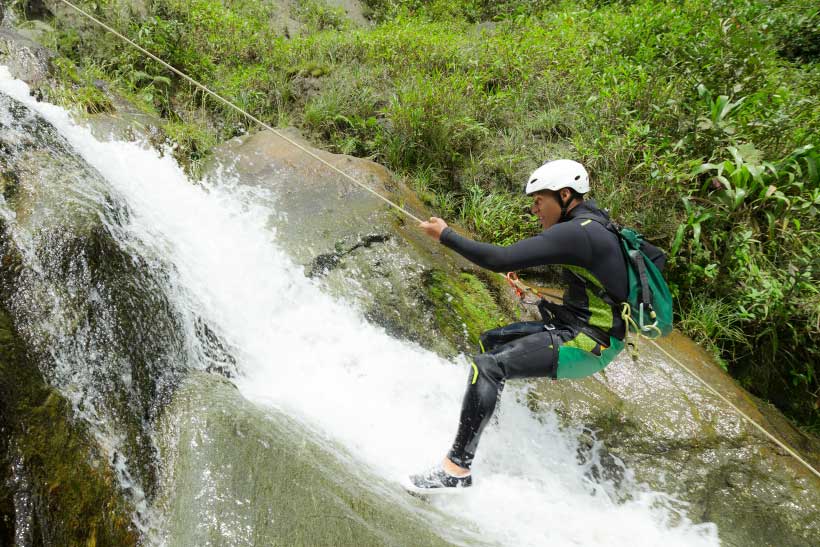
x,y
104,296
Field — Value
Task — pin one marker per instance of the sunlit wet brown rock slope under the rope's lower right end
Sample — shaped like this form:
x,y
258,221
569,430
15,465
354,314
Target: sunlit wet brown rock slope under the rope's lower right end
x,y
679,438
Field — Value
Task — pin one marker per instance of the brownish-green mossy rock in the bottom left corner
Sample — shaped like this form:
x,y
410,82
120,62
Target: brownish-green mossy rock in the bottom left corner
x,y
73,491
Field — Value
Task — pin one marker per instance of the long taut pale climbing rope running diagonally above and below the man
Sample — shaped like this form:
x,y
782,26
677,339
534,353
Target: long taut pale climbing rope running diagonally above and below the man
x,y
513,281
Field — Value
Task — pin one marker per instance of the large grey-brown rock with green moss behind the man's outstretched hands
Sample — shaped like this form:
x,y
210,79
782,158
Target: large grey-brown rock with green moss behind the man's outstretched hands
x,y
359,247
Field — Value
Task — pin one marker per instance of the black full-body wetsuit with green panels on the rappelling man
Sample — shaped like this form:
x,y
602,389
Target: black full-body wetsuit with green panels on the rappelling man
x,y
574,340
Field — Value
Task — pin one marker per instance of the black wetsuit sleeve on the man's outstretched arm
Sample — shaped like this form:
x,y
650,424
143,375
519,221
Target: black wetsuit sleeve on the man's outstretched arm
x,y
560,244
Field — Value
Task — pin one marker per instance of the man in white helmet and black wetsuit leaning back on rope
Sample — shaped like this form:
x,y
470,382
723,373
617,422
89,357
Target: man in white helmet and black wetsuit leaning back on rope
x,y
573,340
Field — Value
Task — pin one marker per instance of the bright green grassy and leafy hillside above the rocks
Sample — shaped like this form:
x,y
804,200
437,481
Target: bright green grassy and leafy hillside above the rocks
x,y
698,120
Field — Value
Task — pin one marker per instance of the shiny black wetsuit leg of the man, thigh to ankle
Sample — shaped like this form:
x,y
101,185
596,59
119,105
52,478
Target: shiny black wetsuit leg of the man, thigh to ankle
x,y
529,356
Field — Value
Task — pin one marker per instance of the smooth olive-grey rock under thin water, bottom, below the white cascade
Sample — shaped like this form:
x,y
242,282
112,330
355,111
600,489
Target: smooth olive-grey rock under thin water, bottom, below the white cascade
x,y
298,493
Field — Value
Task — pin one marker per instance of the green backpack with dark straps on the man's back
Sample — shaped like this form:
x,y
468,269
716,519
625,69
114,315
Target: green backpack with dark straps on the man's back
x,y
648,308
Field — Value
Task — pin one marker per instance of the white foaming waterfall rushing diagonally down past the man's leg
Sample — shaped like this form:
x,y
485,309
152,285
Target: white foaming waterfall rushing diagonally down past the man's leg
x,y
390,403
